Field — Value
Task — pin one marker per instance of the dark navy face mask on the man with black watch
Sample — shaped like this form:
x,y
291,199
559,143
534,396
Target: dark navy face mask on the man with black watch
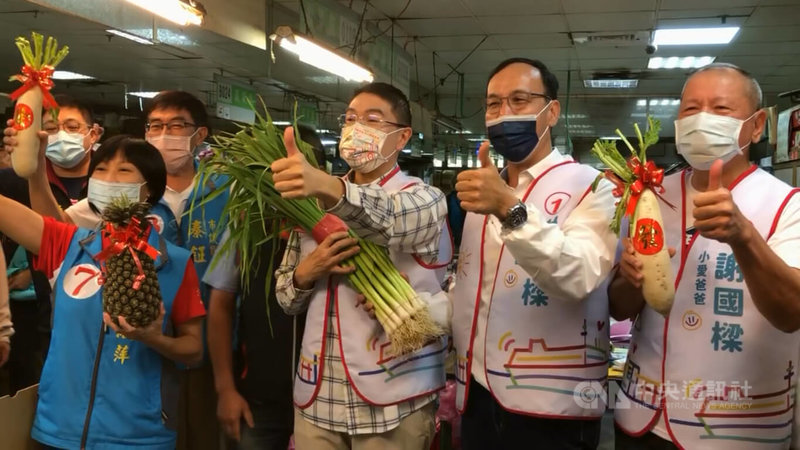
x,y
514,137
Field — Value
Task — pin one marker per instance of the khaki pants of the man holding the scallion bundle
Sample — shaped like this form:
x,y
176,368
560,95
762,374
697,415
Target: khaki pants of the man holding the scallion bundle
x,y
415,432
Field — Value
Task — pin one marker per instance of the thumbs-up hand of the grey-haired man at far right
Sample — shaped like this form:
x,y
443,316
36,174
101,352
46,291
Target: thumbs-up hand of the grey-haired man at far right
x,y
716,216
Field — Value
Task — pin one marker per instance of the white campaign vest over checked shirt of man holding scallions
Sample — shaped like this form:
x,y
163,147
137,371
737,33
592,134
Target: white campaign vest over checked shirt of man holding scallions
x,y
376,375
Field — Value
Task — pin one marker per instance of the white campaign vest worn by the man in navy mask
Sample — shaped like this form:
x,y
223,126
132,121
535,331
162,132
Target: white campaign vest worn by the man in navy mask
x,y
542,353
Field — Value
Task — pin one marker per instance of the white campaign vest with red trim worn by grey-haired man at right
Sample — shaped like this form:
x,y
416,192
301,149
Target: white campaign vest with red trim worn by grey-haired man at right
x,y
726,380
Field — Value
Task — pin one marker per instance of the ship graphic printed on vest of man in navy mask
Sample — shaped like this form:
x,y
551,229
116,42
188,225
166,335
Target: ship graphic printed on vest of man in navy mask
x,y
530,364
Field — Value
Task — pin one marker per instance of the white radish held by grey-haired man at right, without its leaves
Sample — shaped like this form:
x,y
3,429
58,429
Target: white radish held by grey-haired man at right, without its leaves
x,y
647,238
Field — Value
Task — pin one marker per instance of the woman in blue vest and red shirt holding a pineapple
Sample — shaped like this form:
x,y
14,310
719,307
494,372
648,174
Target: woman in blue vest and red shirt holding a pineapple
x,y
103,384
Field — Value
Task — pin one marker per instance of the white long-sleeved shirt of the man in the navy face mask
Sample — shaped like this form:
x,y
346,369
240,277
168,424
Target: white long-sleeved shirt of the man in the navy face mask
x,y
566,262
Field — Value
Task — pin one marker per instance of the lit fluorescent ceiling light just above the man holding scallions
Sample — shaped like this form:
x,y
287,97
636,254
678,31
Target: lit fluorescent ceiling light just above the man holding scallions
x,y
320,57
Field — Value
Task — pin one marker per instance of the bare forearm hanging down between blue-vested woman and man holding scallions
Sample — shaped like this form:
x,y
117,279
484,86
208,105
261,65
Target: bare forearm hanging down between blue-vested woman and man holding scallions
x,y
222,306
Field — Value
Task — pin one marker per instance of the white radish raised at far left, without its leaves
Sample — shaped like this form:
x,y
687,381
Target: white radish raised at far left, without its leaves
x,y
28,122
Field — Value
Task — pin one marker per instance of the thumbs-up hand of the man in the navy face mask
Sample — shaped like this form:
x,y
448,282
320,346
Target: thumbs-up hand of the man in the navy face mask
x,y
482,190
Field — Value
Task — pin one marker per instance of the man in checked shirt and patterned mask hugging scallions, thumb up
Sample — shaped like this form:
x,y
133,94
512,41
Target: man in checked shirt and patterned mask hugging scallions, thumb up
x,y
351,391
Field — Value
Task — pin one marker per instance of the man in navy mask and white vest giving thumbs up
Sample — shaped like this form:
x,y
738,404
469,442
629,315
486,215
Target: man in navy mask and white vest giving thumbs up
x,y
530,309
